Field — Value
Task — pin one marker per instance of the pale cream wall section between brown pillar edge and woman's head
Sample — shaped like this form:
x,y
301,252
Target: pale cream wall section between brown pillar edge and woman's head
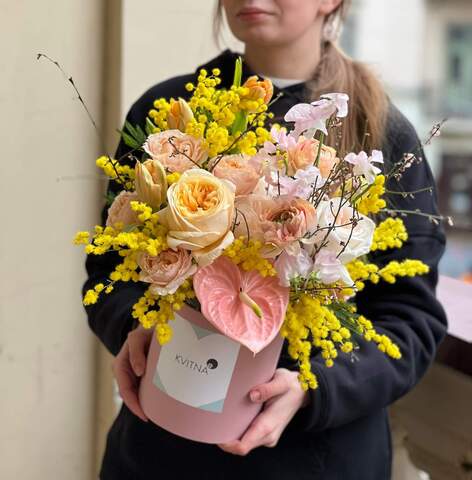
x,y
162,39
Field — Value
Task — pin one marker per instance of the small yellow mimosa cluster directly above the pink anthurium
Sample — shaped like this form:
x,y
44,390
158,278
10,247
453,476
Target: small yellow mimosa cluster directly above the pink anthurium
x,y
247,255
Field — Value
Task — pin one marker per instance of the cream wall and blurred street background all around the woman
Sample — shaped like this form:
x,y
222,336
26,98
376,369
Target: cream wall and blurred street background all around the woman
x,y
56,390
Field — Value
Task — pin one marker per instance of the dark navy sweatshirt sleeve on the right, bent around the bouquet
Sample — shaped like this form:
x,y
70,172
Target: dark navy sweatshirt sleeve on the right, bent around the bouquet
x,y
407,311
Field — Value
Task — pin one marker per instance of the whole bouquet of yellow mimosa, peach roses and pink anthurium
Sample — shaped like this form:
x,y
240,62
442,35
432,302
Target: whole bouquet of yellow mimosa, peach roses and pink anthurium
x,y
267,232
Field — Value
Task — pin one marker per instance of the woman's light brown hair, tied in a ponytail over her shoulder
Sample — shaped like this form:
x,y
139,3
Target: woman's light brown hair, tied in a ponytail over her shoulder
x,y
336,72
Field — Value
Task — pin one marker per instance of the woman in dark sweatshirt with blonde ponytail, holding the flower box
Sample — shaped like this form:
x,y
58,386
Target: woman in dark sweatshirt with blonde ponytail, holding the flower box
x,y
341,429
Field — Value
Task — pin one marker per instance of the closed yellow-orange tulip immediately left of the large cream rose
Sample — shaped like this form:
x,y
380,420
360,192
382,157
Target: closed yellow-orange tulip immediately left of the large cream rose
x,y
151,182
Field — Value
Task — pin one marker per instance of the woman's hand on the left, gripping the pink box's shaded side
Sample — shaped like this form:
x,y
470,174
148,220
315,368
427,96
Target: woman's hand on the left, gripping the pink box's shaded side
x,y
129,365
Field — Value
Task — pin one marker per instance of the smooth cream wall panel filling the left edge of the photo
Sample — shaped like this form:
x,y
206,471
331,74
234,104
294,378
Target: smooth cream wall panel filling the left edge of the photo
x,y
48,191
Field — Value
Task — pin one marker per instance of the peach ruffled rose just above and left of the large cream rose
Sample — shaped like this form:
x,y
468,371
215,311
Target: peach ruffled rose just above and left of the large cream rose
x,y
176,150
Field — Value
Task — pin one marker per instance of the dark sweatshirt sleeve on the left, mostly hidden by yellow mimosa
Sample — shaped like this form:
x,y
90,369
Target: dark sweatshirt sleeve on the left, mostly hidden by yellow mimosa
x,y
110,318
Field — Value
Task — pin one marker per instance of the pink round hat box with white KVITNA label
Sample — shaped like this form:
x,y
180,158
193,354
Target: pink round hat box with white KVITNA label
x,y
197,385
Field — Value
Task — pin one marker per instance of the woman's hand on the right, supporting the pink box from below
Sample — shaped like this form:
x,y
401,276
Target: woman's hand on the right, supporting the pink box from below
x,y
283,397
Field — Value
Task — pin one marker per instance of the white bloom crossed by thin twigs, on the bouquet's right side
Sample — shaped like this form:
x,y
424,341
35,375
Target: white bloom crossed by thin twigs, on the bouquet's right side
x,y
352,234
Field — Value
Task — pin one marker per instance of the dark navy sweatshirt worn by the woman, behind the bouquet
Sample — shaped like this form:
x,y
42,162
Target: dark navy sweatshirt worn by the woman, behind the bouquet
x,y
344,432
